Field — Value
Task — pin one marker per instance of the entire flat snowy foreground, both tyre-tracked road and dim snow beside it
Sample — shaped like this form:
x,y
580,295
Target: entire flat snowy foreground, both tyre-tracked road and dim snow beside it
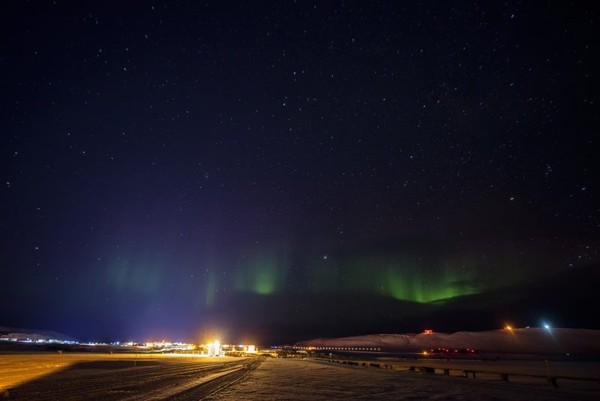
x,y
136,377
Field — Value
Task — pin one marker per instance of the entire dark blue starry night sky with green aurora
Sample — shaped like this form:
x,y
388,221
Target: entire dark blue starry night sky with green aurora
x,y
274,171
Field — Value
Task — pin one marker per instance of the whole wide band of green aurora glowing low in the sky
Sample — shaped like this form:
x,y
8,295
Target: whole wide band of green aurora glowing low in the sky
x,y
268,271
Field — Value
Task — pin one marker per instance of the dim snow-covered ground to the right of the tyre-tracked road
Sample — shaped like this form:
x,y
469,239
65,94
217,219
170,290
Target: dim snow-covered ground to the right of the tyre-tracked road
x,y
292,379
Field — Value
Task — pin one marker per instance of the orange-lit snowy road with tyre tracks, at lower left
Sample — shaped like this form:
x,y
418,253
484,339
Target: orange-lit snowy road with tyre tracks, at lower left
x,y
131,378
